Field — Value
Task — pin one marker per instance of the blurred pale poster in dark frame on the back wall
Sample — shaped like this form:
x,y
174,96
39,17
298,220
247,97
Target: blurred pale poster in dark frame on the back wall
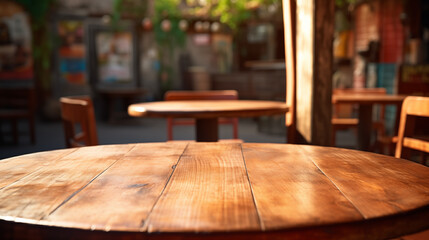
x,y
113,55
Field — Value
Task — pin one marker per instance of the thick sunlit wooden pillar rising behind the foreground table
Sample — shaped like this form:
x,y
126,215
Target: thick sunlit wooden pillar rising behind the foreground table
x,y
309,56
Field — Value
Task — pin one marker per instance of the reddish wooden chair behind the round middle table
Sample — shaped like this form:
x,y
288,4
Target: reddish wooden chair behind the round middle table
x,y
200,95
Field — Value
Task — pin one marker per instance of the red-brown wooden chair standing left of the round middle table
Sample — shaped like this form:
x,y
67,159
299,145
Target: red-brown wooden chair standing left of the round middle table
x,y
78,113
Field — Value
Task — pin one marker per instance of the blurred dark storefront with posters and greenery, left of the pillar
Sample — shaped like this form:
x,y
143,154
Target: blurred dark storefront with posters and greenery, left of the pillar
x,y
127,44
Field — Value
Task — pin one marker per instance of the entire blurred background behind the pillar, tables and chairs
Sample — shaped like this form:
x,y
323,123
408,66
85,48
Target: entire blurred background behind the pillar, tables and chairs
x,y
125,51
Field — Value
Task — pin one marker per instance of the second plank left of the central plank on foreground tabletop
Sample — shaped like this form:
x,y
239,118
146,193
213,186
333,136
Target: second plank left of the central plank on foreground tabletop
x,y
39,193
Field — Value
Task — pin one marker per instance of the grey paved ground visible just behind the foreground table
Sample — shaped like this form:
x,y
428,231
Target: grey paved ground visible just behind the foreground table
x,y
50,134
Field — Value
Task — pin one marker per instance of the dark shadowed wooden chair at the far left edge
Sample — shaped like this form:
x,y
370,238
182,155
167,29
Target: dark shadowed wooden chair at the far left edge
x,y
17,104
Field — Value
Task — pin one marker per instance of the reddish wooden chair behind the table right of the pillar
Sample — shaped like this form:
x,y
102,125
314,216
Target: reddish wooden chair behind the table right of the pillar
x,y
342,113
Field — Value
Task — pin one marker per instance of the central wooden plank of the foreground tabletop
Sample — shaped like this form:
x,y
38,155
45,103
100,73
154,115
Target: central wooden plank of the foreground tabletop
x,y
209,191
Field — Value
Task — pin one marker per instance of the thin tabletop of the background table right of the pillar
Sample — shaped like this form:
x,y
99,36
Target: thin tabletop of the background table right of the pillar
x,y
368,98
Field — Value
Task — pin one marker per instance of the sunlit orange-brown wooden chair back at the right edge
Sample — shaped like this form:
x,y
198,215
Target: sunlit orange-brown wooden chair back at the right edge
x,y
411,108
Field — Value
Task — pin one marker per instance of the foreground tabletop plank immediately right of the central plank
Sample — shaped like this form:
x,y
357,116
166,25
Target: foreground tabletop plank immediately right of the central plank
x,y
290,191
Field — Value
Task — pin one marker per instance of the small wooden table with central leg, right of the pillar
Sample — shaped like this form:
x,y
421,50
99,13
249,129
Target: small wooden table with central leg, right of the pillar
x,y
366,103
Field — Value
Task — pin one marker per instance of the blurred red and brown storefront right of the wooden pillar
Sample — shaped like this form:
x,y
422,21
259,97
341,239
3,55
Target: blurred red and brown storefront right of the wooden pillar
x,y
383,44
